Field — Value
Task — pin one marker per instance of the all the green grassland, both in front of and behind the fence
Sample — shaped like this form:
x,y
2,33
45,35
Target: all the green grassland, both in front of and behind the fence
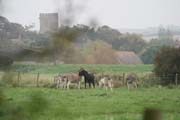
x,y
45,103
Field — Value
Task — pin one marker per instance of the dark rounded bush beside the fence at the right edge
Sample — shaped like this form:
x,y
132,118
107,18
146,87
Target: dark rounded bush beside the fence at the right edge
x,y
167,63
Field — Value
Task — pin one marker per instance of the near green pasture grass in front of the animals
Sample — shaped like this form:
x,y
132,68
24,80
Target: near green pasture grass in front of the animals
x,y
98,104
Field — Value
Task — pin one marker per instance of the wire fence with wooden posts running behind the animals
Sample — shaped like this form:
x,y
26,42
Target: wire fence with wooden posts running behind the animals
x,y
20,79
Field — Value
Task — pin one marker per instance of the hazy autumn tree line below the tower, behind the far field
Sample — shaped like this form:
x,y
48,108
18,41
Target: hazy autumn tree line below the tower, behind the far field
x,y
79,43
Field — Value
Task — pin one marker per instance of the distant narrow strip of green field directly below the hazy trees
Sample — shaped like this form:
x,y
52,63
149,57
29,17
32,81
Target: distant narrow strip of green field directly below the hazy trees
x,y
73,68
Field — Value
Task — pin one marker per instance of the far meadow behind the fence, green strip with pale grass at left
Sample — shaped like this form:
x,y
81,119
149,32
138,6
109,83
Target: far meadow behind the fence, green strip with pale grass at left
x,y
47,72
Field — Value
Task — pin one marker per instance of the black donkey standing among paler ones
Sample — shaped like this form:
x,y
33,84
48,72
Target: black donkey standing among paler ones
x,y
89,78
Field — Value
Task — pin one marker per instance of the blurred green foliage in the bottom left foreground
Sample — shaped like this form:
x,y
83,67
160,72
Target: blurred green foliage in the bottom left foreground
x,y
22,110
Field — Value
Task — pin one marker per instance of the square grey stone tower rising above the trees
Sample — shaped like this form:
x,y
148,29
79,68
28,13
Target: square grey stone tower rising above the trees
x,y
48,22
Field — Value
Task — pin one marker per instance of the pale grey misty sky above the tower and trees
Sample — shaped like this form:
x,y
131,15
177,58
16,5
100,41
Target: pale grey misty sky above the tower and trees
x,y
115,13
